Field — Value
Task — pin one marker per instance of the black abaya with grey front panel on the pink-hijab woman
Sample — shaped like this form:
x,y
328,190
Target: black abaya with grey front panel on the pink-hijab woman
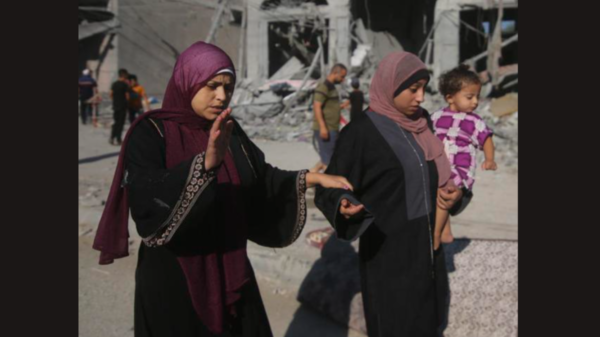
x,y
403,280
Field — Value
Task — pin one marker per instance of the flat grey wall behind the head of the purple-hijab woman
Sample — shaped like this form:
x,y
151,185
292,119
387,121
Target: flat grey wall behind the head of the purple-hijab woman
x,y
154,32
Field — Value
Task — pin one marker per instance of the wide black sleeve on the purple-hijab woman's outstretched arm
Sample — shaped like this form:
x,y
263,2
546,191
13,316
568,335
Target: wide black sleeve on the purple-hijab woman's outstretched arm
x,y
277,202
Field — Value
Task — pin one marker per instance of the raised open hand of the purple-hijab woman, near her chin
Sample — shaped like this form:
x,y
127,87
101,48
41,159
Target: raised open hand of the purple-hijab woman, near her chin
x,y
218,140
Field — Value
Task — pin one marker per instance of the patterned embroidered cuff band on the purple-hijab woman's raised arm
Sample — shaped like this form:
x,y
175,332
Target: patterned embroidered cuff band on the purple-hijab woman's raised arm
x,y
197,181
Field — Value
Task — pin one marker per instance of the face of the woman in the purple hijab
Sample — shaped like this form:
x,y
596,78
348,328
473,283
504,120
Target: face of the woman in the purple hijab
x,y
214,97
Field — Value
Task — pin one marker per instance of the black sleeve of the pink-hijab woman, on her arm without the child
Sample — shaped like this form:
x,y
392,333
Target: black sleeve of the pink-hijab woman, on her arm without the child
x,y
346,162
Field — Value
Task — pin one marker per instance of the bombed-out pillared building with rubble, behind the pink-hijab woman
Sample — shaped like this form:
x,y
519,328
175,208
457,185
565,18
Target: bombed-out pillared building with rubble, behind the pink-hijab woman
x,y
290,45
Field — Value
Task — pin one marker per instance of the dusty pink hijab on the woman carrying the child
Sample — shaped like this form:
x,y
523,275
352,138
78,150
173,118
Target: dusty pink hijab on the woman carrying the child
x,y
392,72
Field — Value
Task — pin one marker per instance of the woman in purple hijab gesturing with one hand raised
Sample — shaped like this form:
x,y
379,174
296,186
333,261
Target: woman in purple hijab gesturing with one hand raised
x,y
198,189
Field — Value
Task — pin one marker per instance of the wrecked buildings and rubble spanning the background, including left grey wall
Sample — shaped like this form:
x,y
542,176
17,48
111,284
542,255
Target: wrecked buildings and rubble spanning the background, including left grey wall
x,y
282,48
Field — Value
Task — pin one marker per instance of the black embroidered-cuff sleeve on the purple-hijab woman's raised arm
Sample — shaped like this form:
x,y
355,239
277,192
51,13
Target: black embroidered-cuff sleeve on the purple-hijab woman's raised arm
x,y
165,203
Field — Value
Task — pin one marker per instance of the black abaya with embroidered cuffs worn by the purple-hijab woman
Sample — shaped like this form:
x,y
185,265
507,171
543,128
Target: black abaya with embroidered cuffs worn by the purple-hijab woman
x,y
276,212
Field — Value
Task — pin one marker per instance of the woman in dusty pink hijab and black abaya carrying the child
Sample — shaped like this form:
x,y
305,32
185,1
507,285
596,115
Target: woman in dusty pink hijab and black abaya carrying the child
x,y
396,166
